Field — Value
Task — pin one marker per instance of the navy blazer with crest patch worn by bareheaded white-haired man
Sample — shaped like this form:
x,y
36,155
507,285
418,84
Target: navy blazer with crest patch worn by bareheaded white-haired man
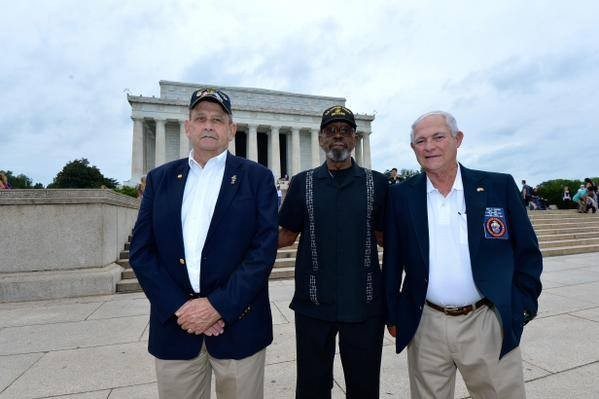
x,y
506,271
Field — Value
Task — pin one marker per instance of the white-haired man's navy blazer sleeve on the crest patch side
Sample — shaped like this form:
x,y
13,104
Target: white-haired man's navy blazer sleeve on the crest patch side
x,y
528,261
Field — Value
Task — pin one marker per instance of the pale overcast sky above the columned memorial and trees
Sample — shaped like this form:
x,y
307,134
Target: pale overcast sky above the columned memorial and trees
x,y
521,77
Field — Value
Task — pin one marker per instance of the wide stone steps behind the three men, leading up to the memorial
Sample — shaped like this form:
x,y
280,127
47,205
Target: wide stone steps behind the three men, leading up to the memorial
x,y
563,232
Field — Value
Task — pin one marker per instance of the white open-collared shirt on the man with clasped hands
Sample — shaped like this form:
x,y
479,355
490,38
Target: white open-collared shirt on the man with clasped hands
x,y
199,200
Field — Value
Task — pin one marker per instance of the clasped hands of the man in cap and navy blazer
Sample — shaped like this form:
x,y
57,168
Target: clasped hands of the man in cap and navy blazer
x,y
198,316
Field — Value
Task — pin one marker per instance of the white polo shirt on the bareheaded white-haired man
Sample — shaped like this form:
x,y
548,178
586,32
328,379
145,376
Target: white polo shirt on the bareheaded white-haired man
x,y
450,280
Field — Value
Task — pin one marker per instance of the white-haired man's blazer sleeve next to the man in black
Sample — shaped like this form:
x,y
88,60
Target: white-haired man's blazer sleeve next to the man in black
x,y
392,263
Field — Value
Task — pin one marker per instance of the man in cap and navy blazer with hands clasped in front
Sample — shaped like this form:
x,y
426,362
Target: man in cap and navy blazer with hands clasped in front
x,y
203,247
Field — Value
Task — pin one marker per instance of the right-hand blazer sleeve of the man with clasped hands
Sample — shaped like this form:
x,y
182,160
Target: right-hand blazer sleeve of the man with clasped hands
x,y
231,299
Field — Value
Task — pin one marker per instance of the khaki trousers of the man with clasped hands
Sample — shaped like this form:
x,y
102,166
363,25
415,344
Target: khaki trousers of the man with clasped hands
x,y
191,379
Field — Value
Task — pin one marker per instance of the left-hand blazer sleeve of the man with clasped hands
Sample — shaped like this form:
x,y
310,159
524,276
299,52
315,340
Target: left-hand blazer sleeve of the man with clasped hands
x,y
164,294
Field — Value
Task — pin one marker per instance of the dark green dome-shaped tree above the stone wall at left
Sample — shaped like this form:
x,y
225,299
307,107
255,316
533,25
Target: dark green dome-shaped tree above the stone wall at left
x,y
80,174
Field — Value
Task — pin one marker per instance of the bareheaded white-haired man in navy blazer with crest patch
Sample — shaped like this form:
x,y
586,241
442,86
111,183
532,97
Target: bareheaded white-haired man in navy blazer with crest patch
x,y
462,270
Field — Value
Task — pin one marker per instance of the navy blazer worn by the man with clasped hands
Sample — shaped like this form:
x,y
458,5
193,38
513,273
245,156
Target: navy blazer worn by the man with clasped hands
x,y
237,258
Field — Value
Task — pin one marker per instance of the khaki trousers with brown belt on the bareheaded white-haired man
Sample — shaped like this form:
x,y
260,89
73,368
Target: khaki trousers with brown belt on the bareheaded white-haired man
x,y
470,343
